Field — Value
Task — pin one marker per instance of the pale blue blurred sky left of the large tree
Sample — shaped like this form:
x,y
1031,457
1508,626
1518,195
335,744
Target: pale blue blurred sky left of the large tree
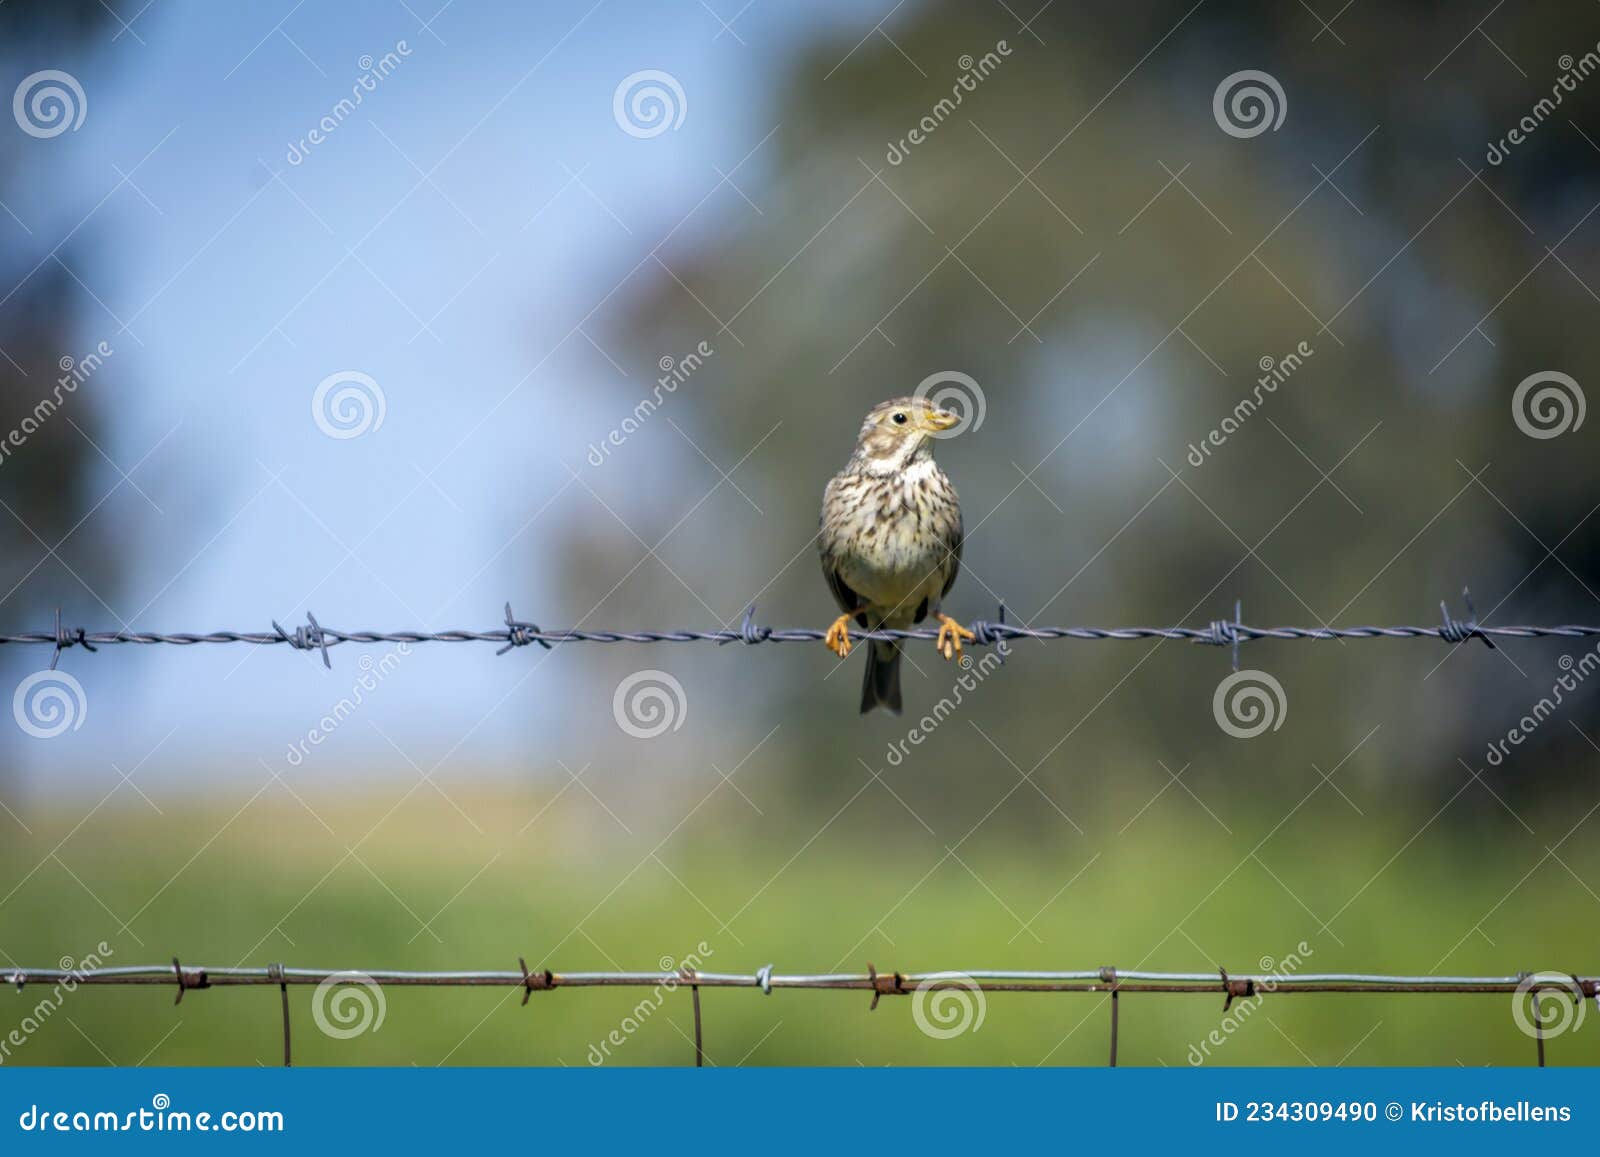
x,y
447,239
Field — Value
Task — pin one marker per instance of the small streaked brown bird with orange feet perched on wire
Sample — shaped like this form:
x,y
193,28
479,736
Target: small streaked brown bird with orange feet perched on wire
x,y
892,540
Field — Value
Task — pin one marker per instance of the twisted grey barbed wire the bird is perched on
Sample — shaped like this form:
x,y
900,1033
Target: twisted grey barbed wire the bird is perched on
x,y
985,633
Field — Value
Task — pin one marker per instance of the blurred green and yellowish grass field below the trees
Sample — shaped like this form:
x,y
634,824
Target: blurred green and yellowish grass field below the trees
x,y
366,883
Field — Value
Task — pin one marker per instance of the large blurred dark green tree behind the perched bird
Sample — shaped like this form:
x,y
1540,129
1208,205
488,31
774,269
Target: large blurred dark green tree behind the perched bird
x,y
1082,238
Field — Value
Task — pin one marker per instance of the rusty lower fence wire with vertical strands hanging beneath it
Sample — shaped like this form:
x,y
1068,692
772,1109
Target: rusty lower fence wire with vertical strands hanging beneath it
x,y
1108,982
